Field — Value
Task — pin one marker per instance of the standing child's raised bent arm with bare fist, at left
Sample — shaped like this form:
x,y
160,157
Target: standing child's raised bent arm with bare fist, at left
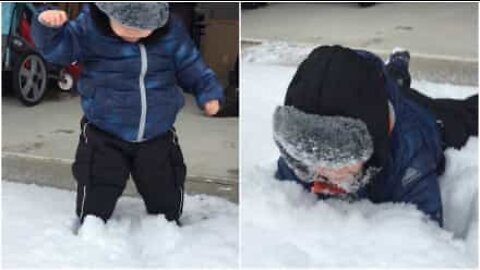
x,y
58,39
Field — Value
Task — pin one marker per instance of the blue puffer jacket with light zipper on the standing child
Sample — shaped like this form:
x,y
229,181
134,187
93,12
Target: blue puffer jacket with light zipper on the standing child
x,y
129,89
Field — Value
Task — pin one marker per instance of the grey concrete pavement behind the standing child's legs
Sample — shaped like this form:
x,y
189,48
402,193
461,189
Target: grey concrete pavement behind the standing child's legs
x,y
39,143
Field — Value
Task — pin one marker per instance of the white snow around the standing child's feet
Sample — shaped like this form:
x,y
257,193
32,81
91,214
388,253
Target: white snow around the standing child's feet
x,y
38,225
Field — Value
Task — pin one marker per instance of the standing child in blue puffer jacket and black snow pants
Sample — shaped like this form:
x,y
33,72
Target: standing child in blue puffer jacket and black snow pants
x,y
133,56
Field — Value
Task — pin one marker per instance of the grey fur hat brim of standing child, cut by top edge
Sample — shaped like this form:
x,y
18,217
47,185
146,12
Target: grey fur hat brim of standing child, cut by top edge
x,y
148,15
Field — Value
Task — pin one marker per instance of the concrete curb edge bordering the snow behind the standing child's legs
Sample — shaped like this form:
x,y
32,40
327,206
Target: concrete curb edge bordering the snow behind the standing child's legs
x,y
57,173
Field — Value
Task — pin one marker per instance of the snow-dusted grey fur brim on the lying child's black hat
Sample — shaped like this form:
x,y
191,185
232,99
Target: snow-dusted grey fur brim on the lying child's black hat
x,y
307,141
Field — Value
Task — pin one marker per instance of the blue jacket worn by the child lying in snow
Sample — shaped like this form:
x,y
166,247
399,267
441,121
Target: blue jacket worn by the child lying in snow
x,y
411,173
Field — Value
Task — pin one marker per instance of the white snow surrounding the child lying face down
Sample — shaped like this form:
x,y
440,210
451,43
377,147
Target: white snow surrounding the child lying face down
x,y
284,226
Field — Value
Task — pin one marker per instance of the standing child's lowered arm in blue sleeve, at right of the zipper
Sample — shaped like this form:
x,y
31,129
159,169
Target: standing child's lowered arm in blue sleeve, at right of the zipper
x,y
193,74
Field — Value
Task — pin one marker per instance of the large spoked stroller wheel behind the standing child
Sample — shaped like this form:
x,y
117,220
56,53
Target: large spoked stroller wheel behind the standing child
x,y
30,78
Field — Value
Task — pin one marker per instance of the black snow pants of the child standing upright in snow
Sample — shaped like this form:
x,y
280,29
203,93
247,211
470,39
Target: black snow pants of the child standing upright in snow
x,y
103,164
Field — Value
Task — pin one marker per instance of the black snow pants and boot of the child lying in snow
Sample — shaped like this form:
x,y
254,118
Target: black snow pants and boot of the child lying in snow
x,y
457,118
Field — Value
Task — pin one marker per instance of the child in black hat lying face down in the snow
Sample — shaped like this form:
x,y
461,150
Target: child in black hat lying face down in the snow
x,y
352,127
